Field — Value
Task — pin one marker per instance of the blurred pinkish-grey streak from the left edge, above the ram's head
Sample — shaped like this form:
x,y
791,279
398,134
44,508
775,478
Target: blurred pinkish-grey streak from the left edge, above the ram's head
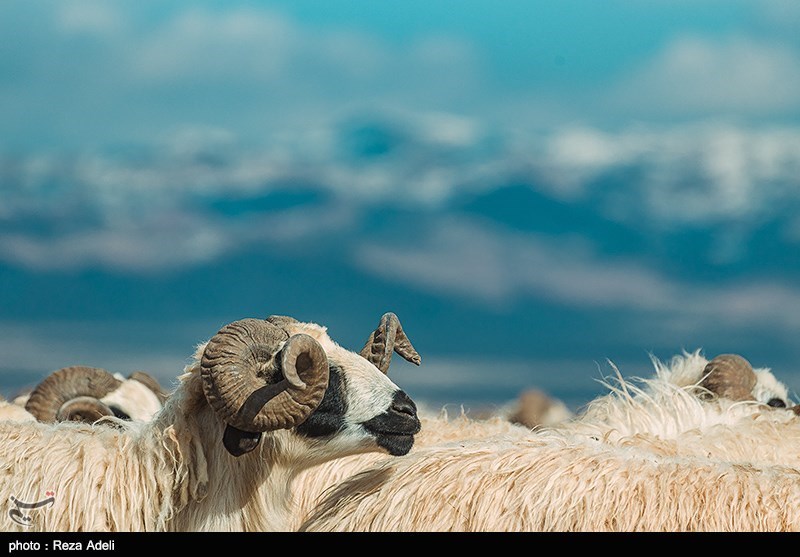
x,y
167,239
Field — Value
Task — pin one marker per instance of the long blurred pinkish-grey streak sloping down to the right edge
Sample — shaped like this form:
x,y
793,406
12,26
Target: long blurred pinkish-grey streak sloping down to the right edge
x,y
466,260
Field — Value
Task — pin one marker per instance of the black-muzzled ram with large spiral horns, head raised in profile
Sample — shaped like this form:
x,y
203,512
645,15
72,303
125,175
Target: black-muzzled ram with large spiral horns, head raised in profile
x,y
261,400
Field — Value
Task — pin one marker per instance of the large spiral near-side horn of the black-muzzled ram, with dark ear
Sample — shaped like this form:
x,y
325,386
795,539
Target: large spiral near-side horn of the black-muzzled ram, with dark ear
x,y
258,378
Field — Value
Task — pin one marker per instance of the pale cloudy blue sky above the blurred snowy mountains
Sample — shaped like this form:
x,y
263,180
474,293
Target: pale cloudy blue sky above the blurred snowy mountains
x,y
92,74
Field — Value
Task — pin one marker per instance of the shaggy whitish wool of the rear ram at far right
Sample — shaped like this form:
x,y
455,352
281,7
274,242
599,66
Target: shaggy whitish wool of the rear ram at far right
x,y
665,414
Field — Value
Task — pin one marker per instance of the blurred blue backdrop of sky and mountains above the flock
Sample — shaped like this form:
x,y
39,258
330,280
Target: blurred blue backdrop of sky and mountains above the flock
x,y
537,189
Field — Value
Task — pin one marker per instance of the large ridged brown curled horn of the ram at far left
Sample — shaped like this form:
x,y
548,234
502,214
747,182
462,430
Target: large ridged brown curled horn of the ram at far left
x,y
51,399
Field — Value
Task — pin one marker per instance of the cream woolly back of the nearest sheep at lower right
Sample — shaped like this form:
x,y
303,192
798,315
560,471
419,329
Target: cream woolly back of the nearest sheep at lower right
x,y
545,483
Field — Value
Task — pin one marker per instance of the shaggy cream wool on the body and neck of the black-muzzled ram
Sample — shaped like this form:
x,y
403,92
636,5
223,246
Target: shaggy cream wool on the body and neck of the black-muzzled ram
x,y
123,477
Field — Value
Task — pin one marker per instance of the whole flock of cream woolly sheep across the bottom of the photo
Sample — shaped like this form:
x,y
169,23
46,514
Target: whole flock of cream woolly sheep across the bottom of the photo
x,y
273,426
